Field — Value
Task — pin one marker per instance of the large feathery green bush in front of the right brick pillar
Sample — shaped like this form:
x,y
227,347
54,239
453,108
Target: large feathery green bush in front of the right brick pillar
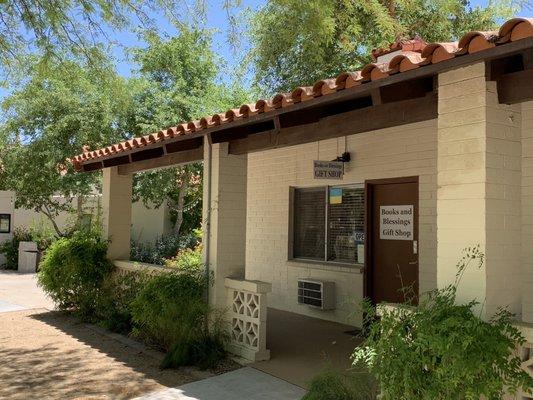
x,y
442,350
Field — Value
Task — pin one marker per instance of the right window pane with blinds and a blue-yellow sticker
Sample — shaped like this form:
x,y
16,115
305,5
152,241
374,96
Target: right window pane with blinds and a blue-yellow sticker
x,y
346,224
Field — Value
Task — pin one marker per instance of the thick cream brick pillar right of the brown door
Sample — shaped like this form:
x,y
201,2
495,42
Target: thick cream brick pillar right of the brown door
x,y
479,178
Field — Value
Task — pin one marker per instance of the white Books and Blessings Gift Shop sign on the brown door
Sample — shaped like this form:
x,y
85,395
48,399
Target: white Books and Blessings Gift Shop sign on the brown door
x,y
396,222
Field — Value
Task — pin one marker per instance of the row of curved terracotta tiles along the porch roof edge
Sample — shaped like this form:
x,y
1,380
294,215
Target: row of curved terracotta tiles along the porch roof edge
x,y
413,54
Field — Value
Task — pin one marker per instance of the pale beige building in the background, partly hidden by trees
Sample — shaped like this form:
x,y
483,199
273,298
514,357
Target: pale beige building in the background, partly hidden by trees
x,y
147,223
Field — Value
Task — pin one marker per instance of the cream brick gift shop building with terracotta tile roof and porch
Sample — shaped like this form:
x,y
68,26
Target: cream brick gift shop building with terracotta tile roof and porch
x,y
359,185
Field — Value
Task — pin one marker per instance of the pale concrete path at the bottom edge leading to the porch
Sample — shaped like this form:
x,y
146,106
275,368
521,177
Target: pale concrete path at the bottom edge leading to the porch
x,y
245,383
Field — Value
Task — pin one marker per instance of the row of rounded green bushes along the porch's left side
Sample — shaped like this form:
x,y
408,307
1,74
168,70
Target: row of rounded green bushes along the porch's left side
x,y
165,310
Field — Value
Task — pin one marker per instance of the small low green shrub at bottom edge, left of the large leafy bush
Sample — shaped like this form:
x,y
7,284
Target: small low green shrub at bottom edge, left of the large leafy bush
x,y
331,385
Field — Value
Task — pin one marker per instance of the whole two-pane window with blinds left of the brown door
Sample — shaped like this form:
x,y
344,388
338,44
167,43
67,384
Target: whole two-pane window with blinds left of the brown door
x,y
328,224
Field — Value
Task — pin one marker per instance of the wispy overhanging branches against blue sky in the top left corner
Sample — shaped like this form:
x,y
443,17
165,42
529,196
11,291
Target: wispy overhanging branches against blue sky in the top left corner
x,y
74,27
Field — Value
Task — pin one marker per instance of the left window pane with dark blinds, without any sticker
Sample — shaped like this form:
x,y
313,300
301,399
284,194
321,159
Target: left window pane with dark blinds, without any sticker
x,y
310,223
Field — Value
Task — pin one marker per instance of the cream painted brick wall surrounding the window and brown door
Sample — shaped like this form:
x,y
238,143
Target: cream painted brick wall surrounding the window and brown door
x,y
409,150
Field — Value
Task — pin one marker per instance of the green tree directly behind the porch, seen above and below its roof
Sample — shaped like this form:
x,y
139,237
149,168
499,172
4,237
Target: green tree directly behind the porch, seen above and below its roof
x,y
177,82
